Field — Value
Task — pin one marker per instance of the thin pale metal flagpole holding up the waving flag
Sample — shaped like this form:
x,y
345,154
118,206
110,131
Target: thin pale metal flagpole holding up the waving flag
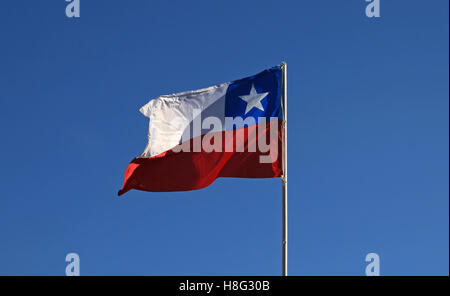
x,y
284,167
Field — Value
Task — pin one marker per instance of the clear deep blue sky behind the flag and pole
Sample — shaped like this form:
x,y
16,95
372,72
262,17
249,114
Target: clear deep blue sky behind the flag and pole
x,y
368,137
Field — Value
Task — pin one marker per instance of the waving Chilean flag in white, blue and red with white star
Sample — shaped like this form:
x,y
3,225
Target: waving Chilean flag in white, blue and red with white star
x,y
228,130
